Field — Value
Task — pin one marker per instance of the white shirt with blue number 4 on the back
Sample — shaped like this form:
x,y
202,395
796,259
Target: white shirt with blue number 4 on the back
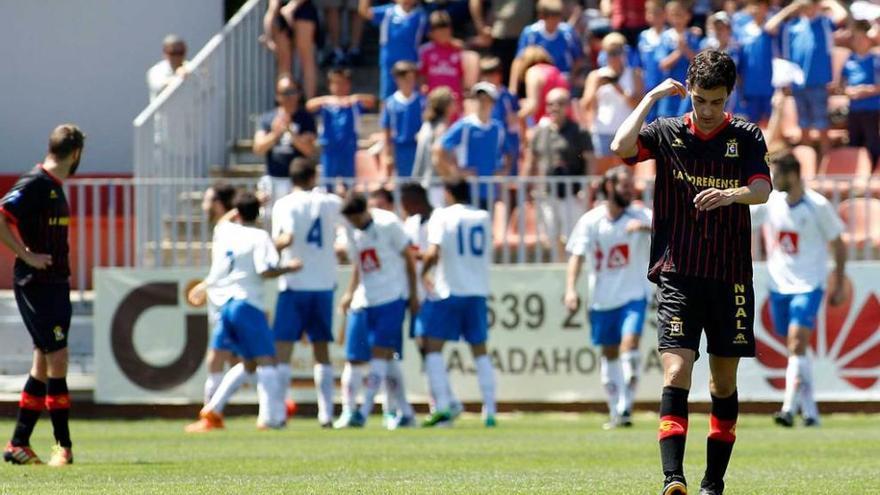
x,y
312,217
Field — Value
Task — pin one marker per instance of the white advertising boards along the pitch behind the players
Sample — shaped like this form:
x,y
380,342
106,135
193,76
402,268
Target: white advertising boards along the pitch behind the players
x,y
149,344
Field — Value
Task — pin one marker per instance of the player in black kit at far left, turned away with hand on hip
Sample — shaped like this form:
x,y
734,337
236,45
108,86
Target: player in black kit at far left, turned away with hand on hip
x,y
37,206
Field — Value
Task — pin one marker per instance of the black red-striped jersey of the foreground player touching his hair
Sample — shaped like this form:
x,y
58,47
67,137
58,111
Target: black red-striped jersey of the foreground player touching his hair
x,y
708,244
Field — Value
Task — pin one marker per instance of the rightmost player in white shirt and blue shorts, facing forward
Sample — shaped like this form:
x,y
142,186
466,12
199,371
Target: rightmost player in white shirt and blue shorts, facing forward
x,y
799,225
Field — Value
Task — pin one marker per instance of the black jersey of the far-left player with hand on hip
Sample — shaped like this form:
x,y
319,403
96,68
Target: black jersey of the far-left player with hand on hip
x,y
38,206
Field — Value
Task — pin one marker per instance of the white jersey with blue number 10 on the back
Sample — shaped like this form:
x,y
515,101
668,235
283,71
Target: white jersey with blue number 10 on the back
x,y
464,235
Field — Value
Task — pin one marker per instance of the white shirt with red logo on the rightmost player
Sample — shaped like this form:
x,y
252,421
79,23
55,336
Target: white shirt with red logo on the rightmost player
x,y
797,238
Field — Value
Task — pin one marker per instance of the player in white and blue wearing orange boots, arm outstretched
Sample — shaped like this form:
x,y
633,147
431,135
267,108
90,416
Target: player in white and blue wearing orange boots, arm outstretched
x,y
242,257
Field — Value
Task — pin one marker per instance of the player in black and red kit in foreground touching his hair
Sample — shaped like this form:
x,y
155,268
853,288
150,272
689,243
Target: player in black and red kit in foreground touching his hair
x,y
710,167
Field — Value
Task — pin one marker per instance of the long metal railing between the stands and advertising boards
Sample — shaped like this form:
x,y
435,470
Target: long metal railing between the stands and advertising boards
x,y
530,222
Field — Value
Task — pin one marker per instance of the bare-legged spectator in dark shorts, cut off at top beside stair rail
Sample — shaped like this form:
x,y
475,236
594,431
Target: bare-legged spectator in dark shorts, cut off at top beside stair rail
x,y
289,23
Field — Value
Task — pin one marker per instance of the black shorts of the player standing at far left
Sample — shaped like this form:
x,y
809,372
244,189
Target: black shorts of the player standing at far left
x,y
46,311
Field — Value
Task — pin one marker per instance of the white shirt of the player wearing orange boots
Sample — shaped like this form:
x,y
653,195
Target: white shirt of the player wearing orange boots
x,y
238,256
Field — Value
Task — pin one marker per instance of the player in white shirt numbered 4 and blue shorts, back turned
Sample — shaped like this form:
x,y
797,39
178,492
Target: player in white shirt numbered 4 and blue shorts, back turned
x,y
304,225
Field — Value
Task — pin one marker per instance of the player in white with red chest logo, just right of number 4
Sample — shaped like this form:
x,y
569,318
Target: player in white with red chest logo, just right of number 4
x,y
384,280
